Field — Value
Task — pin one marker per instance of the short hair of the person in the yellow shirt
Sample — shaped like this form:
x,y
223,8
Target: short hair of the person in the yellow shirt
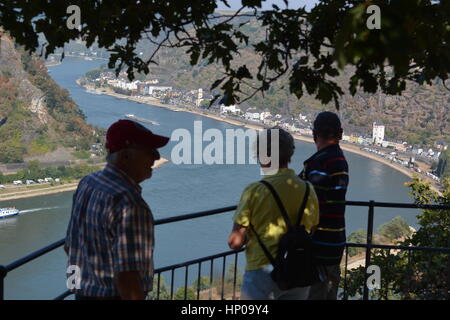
x,y
285,142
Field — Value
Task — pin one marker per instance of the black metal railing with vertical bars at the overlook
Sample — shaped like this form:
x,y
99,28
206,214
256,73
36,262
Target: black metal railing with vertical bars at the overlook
x,y
4,270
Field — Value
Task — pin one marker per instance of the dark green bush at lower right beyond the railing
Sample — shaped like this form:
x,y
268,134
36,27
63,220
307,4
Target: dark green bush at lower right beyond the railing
x,y
415,274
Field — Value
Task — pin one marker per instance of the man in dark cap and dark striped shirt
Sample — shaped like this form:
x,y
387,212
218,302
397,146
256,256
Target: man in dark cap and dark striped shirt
x,y
327,170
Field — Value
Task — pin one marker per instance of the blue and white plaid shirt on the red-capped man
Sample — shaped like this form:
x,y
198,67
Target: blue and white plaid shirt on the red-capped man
x,y
110,230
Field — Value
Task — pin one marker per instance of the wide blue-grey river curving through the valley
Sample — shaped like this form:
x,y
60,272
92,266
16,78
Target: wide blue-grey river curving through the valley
x,y
173,190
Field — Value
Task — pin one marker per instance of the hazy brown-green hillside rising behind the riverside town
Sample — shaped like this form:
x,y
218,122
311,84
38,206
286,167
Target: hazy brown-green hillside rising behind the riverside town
x,y
420,115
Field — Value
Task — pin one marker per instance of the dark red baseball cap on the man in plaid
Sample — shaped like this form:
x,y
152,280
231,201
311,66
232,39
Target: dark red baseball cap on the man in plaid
x,y
124,133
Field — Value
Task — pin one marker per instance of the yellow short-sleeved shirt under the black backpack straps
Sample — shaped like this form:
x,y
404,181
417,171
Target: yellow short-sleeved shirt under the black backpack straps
x,y
258,206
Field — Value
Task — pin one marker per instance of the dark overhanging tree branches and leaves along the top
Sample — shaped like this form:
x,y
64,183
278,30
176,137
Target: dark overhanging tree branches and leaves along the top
x,y
308,47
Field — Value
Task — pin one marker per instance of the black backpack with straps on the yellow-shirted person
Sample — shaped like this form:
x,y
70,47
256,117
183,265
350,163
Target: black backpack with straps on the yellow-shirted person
x,y
294,265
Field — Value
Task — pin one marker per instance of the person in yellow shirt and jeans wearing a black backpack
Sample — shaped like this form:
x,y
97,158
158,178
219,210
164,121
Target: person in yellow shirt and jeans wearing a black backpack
x,y
258,207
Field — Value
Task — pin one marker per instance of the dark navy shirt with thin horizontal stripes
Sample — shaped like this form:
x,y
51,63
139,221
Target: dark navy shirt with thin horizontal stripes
x,y
327,170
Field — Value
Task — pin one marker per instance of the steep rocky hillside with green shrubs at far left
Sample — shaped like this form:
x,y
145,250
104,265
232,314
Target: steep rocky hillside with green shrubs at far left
x,y
41,116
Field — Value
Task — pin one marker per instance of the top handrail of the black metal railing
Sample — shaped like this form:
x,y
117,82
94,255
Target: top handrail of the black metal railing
x,y
59,243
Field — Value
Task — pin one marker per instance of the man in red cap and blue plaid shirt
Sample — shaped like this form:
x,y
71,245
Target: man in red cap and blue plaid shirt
x,y
110,237
